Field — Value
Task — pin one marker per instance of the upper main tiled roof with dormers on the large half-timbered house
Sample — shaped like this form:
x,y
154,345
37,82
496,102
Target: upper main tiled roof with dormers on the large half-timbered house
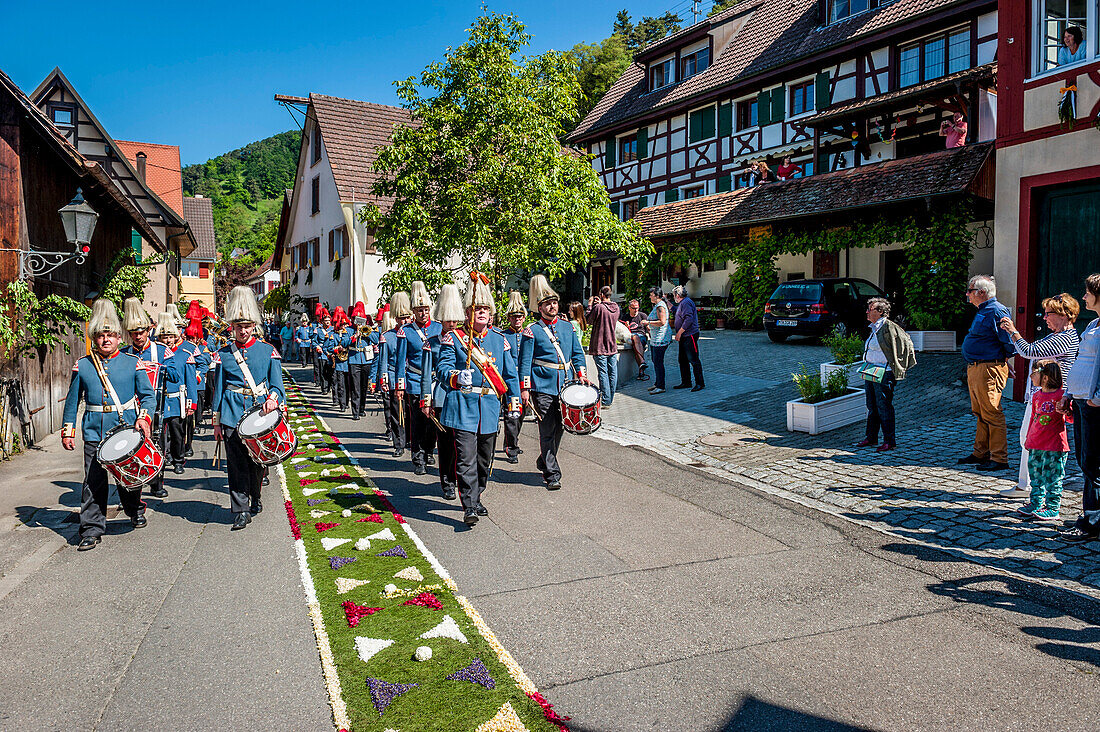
x,y
775,34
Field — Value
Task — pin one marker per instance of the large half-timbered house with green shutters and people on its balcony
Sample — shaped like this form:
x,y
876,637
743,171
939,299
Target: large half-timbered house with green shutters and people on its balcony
x,y
855,93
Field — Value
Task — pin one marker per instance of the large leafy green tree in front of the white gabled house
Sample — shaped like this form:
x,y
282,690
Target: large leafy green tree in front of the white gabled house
x,y
481,181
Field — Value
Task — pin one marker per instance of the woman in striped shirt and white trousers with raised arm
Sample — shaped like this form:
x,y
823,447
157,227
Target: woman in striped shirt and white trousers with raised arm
x,y
1061,344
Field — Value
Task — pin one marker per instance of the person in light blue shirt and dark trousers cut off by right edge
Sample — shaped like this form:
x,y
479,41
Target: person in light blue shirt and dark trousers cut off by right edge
x,y
1083,398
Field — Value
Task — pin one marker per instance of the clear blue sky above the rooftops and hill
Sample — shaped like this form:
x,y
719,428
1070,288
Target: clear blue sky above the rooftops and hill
x,y
202,75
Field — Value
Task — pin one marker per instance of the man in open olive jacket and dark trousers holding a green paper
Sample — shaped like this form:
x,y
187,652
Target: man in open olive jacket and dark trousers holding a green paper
x,y
889,353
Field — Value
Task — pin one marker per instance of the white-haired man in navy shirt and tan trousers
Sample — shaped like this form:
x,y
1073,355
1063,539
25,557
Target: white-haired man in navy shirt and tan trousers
x,y
987,349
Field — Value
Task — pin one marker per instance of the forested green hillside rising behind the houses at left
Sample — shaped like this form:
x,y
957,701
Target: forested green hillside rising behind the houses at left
x,y
247,187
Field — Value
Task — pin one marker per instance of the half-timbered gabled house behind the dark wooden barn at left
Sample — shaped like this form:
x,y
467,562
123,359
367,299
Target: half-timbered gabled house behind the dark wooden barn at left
x,y
59,100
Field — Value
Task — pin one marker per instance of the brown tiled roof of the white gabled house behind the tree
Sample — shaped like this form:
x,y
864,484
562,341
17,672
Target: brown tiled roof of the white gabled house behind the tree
x,y
353,133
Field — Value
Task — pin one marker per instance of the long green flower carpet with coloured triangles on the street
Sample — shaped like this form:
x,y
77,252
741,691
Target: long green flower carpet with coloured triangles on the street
x,y
401,650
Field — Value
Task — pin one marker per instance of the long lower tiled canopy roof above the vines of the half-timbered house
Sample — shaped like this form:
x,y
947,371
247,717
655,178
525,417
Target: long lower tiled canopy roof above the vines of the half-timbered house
x,y
932,174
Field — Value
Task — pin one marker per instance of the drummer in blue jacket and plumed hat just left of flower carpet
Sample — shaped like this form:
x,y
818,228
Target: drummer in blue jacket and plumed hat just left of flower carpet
x,y
250,370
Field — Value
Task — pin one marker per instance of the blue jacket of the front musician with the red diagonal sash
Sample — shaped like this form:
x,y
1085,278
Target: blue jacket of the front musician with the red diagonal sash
x,y
467,408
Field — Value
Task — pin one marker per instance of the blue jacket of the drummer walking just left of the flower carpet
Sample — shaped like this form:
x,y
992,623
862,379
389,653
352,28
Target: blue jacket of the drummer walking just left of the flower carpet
x,y
232,396
